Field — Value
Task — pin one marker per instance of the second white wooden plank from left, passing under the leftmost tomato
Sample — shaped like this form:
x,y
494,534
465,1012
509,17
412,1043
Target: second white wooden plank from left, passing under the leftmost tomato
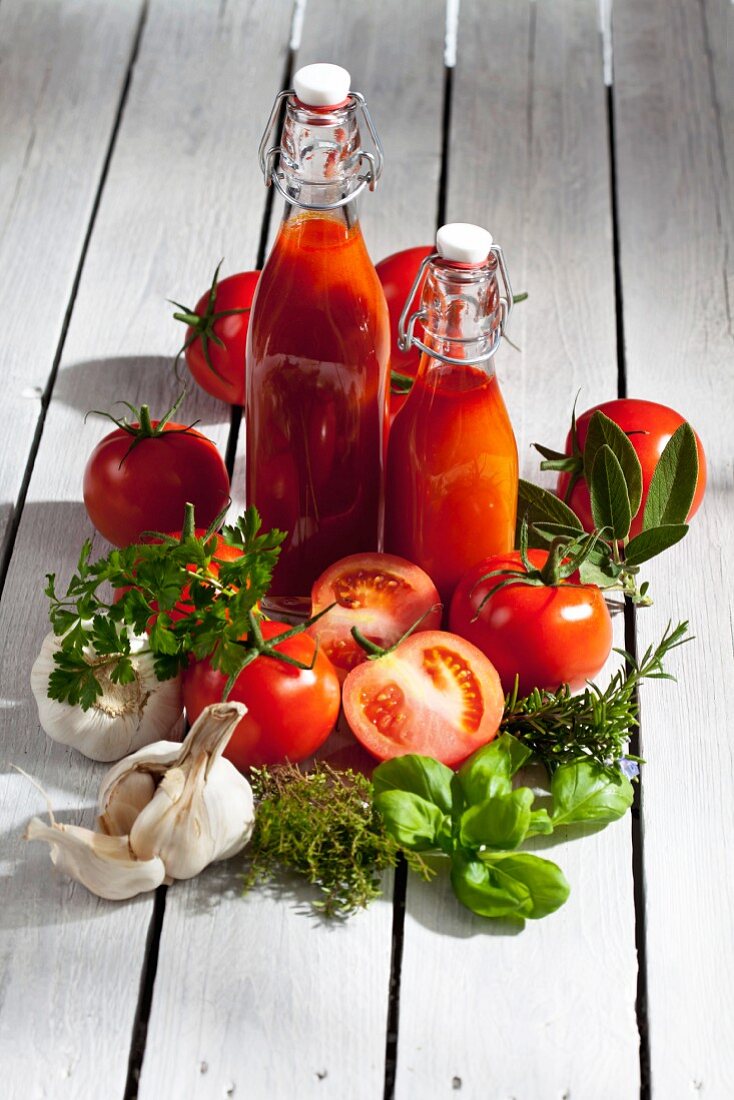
x,y
178,199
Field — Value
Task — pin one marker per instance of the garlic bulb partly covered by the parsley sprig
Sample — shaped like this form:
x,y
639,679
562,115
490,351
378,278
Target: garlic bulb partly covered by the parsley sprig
x,y
123,719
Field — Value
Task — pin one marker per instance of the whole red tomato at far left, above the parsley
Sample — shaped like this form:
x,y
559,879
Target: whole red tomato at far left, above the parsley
x,y
140,478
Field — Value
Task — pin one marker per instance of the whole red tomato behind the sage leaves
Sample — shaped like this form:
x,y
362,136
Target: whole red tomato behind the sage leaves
x,y
649,426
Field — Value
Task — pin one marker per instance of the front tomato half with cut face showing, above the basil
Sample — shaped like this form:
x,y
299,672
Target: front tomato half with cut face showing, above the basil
x,y
436,695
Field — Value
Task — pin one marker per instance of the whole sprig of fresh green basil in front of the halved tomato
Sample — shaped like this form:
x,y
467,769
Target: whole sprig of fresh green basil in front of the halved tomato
x,y
480,820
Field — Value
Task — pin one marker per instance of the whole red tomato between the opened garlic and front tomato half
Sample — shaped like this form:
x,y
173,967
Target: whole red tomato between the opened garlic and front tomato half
x,y
291,712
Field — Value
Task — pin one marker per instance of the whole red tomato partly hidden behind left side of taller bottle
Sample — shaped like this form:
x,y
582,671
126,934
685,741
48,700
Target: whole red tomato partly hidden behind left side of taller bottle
x,y
217,336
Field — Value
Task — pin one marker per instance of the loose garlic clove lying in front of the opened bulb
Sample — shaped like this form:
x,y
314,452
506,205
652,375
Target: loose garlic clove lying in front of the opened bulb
x,y
105,865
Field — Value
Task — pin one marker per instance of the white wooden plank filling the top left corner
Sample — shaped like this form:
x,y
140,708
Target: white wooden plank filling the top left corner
x,y
63,70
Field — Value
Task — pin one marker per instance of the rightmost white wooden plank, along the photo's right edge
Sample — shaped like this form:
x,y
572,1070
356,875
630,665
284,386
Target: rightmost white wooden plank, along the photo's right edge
x,y
677,239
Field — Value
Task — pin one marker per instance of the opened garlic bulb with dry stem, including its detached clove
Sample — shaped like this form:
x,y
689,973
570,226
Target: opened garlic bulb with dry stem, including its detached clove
x,y
167,812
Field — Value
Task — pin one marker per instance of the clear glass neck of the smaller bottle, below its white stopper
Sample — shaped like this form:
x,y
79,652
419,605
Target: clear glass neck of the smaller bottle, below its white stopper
x,y
463,312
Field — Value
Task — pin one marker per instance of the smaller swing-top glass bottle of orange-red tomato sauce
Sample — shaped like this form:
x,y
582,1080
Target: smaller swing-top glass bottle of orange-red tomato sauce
x,y
452,482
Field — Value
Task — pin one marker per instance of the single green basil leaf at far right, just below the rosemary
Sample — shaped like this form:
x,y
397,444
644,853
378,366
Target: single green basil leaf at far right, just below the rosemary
x,y
584,791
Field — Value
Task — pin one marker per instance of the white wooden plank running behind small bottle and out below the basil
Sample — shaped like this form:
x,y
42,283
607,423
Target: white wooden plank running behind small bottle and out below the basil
x,y
551,1011
